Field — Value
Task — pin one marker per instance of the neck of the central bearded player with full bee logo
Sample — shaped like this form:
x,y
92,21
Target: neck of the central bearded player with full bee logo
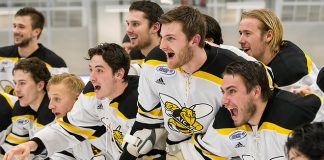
x,y
198,60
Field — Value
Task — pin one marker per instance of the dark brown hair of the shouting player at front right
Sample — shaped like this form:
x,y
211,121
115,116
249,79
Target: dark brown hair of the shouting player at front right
x,y
252,74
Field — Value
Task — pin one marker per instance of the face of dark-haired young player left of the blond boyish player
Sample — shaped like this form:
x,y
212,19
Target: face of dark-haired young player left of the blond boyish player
x,y
26,89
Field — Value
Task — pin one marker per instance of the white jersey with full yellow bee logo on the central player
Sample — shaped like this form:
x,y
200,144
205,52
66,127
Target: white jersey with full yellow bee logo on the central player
x,y
184,103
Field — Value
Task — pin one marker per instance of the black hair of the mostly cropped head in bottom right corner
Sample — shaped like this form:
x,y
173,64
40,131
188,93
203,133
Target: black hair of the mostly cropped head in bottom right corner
x,y
308,140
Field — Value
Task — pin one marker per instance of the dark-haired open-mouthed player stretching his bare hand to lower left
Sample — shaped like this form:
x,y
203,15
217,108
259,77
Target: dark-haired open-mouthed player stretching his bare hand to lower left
x,y
108,103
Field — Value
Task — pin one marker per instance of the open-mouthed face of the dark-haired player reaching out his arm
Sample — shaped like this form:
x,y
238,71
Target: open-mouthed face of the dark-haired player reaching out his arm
x,y
102,78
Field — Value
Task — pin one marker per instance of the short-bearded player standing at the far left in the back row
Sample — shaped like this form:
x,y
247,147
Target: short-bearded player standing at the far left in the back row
x,y
27,28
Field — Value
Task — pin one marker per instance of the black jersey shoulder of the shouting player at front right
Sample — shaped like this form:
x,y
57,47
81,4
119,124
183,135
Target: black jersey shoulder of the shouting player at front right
x,y
289,110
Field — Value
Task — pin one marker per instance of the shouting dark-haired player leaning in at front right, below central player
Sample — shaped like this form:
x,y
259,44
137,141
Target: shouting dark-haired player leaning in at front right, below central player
x,y
255,120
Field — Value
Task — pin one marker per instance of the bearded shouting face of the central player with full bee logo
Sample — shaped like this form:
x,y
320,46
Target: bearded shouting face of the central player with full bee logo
x,y
175,45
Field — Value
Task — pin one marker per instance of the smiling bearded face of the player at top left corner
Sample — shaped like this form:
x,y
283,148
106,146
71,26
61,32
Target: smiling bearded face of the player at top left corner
x,y
23,31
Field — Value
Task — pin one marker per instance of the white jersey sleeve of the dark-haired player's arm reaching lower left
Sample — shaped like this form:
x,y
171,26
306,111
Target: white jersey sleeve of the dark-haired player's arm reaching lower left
x,y
80,124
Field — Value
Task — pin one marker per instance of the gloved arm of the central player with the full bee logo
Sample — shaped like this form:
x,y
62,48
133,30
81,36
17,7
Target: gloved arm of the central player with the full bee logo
x,y
147,129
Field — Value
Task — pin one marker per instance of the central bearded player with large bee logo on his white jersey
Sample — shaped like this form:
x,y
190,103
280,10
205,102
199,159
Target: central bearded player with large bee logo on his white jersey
x,y
179,86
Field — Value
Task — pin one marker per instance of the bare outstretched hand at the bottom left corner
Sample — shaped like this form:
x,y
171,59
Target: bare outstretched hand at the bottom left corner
x,y
22,150
